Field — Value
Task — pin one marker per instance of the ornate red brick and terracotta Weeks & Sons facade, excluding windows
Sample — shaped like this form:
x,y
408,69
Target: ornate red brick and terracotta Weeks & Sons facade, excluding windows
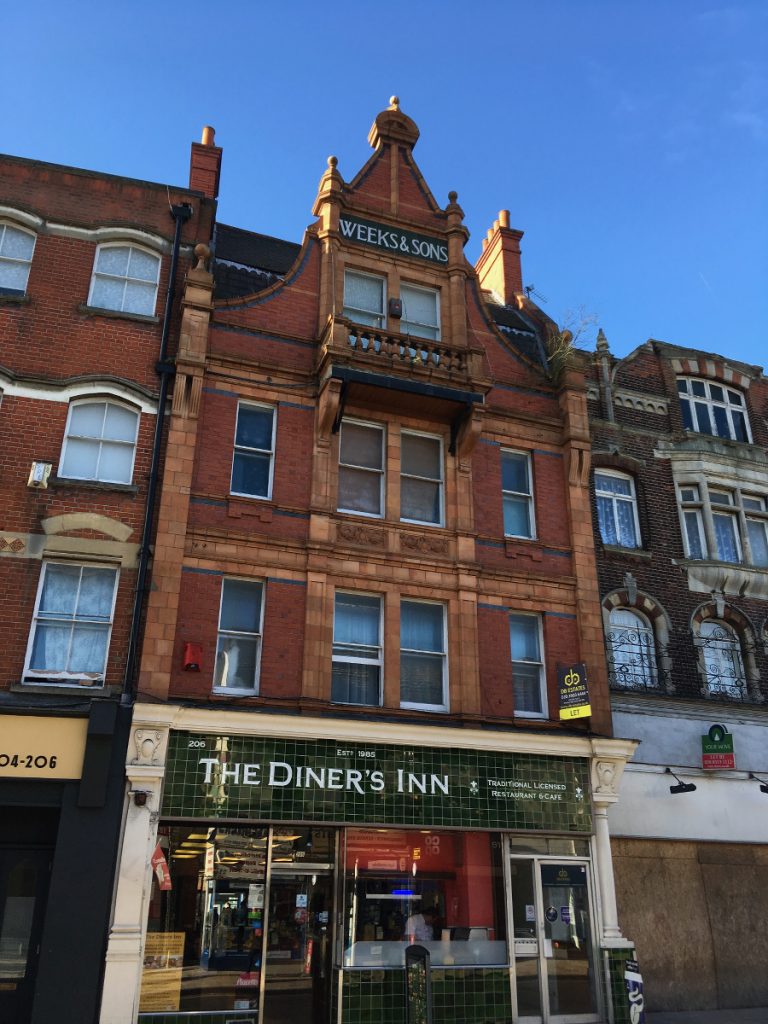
x,y
288,348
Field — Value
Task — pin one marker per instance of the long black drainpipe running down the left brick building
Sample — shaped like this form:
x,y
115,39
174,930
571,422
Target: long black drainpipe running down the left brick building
x,y
165,370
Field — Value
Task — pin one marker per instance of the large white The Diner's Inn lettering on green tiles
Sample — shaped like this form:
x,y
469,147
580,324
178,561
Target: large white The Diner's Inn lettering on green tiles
x,y
282,775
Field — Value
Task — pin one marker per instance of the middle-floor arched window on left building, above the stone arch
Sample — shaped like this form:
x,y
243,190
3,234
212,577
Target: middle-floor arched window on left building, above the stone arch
x,y
100,443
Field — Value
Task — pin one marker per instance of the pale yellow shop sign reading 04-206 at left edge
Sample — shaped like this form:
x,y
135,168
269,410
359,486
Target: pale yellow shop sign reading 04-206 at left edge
x,y
37,747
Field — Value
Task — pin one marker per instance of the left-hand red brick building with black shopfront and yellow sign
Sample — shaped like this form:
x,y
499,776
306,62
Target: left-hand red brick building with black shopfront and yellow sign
x,y
86,271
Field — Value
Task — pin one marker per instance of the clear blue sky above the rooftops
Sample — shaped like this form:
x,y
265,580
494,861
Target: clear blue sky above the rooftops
x,y
629,139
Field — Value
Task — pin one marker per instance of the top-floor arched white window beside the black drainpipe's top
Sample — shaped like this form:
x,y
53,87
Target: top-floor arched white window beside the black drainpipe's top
x,y
125,279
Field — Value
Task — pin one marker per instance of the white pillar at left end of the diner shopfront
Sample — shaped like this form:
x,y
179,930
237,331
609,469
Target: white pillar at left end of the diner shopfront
x,y
125,948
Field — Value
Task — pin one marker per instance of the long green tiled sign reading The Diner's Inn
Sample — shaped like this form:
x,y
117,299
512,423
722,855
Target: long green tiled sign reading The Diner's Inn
x,y
281,780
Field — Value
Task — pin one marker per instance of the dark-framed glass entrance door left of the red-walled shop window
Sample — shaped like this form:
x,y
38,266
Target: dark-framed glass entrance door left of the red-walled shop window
x,y
297,977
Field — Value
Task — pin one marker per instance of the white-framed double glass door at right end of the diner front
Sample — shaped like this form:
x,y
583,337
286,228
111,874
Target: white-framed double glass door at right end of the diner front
x,y
552,942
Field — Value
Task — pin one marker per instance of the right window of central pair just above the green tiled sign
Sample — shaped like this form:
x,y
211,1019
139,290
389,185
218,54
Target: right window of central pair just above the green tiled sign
x,y
423,656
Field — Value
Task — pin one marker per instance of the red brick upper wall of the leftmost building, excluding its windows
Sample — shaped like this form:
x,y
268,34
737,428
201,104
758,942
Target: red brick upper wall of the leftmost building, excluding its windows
x,y
57,351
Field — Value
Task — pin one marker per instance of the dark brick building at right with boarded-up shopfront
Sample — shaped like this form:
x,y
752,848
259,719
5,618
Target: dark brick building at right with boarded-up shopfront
x,y
680,457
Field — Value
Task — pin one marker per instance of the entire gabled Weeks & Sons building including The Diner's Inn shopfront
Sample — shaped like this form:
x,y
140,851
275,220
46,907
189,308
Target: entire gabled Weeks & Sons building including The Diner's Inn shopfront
x,y
375,549
